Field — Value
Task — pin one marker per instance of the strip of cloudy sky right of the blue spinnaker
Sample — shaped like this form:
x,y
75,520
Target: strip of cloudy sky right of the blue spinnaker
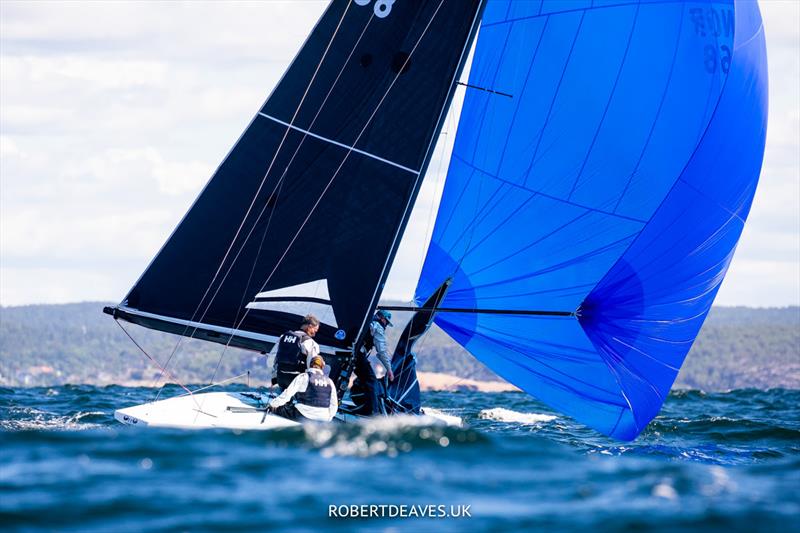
x,y
766,267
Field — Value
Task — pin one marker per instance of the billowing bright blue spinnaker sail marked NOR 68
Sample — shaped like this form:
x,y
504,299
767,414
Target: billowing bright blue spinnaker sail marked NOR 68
x,y
614,183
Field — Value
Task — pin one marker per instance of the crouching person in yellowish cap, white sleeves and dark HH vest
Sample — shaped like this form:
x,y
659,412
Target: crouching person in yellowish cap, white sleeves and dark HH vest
x,y
314,394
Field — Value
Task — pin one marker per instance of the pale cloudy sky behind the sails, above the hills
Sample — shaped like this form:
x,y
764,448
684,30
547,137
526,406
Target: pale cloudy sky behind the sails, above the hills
x,y
113,115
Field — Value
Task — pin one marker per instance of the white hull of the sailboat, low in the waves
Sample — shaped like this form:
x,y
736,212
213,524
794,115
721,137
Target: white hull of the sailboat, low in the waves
x,y
230,410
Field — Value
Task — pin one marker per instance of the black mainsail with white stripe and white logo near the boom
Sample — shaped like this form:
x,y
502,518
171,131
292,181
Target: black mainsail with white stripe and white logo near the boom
x,y
317,191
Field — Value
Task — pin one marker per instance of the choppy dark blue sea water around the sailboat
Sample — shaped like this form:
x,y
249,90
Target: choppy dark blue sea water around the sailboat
x,y
718,461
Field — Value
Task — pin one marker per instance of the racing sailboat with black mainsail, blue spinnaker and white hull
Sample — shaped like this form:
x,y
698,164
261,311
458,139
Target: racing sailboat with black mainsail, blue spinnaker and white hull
x,y
606,159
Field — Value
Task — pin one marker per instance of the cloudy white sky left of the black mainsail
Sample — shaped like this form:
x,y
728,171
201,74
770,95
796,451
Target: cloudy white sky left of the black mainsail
x,y
112,118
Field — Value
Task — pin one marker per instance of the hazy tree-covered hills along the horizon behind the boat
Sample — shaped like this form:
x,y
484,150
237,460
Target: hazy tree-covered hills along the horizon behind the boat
x,y
76,343
